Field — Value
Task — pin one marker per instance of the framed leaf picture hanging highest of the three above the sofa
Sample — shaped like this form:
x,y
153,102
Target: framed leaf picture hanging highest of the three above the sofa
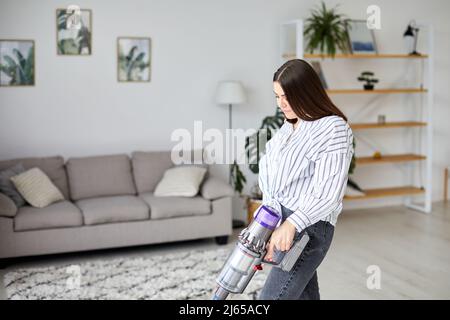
x,y
74,32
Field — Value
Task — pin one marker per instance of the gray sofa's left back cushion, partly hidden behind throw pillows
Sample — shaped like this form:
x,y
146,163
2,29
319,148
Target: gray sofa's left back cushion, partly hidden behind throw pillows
x,y
53,167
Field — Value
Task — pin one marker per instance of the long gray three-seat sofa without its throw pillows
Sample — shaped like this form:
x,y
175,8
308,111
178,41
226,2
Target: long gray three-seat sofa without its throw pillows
x,y
109,203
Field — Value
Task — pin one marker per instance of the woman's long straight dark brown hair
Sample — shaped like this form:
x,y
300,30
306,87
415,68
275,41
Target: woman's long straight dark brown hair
x,y
304,91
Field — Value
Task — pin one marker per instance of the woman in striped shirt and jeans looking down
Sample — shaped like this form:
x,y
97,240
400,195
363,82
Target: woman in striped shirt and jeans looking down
x,y
303,176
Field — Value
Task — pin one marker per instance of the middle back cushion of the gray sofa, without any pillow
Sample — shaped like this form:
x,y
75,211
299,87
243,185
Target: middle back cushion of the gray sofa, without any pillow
x,y
99,176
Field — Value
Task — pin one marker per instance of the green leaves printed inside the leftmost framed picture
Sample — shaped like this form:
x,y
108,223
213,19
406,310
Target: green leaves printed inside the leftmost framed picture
x,y
19,68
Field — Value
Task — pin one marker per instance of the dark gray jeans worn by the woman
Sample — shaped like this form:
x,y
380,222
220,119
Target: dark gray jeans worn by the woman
x,y
301,282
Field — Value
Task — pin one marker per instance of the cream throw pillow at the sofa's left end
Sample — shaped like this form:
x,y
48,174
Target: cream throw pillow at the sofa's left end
x,y
37,188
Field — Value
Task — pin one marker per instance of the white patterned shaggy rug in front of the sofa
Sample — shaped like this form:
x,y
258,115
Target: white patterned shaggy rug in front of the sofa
x,y
176,276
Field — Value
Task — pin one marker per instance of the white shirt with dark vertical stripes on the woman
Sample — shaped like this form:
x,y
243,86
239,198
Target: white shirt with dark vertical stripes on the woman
x,y
306,170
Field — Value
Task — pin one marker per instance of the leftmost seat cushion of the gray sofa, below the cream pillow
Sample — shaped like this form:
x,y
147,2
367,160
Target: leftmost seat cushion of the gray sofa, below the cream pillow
x,y
57,215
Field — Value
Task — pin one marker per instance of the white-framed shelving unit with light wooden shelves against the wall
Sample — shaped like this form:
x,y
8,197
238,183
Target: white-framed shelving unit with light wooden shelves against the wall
x,y
291,47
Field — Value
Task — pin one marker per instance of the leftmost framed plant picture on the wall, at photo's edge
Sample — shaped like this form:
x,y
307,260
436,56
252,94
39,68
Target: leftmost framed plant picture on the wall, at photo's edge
x,y
17,63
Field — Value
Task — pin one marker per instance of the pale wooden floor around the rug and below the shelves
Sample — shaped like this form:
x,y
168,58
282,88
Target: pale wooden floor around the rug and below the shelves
x,y
410,249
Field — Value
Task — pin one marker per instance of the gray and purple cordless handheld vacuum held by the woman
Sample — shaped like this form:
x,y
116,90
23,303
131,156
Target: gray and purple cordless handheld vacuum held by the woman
x,y
248,255
